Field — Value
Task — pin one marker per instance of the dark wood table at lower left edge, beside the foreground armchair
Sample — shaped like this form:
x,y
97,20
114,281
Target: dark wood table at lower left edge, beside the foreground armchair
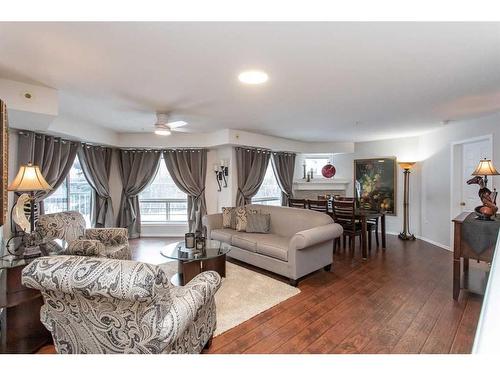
x,y
21,329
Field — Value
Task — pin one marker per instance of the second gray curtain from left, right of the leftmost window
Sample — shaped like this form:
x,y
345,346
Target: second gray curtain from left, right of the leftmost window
x,y
96,165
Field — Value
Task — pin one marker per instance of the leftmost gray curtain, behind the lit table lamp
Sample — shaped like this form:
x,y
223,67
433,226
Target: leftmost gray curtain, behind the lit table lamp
x,y
53,155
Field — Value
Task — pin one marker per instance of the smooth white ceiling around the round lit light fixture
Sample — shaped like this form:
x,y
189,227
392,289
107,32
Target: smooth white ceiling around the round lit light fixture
x,y
328,81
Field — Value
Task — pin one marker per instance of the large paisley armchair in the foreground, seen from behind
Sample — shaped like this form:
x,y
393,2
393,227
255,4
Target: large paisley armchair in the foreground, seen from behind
x,y
98,306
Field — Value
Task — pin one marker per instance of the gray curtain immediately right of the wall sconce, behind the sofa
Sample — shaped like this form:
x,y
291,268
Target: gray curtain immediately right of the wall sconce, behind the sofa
x,y
251,165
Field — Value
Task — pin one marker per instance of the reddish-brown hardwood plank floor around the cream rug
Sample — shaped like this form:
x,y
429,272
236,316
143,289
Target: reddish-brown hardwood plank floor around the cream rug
x,y
399,301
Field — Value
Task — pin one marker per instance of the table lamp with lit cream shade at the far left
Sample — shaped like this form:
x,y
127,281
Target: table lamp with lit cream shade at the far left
x,y
30,179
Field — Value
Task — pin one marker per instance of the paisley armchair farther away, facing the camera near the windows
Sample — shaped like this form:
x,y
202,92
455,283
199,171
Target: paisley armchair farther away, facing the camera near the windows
x,y
70,227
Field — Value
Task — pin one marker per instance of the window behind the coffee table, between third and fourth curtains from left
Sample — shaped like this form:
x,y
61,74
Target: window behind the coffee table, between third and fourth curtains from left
x,y
162,201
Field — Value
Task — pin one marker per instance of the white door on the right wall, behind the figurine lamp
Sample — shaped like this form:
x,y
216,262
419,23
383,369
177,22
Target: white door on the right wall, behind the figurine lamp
x,y
472,153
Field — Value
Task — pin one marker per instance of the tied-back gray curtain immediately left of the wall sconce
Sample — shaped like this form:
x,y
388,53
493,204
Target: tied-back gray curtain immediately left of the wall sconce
x,y
188,169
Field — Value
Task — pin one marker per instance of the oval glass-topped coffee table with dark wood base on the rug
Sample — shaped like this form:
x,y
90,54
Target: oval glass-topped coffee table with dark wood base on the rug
x,y
192,262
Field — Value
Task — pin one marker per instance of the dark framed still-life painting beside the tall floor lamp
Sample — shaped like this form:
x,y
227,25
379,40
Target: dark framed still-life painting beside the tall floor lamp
x,y
375,184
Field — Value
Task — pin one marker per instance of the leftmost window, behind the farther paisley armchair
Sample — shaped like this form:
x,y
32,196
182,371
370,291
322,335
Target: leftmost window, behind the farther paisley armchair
x,y
74,194
